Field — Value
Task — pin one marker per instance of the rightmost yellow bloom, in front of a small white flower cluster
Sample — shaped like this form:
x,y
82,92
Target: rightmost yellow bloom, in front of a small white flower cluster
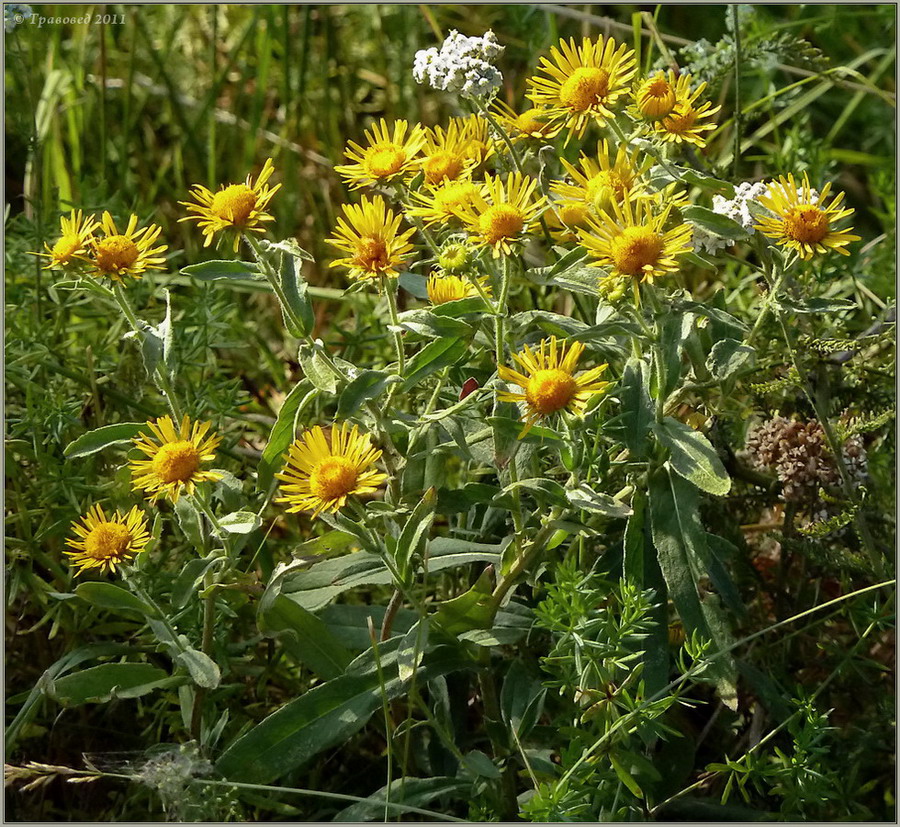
x,y
802,221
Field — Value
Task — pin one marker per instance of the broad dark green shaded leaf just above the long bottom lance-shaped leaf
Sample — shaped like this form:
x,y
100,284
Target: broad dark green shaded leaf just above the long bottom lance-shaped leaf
x,y
304,636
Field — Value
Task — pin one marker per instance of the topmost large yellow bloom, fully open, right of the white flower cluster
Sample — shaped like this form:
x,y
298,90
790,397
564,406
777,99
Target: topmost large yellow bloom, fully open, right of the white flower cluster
x,y
584,82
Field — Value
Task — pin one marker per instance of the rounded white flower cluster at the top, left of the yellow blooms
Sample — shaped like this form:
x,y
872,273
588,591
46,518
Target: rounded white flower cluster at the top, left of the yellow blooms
x,y
463,65
